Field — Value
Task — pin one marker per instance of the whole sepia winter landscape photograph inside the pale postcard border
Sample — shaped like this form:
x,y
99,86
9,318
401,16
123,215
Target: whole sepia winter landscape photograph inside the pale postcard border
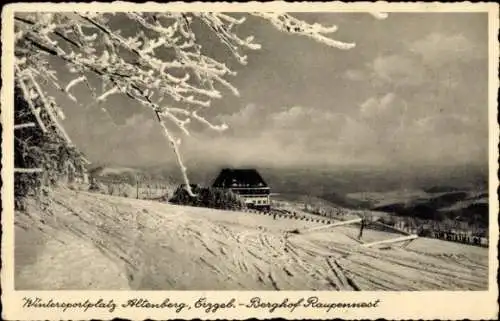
x,y
251,151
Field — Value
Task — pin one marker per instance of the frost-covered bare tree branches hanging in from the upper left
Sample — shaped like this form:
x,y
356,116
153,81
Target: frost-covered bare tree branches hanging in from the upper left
x,y
161,65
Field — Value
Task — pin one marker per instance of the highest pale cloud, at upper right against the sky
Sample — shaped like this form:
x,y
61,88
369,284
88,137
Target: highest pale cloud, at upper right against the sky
x,y
436,59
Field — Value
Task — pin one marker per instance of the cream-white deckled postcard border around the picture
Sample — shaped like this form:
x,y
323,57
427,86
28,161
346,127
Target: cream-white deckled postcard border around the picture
x,y
394,305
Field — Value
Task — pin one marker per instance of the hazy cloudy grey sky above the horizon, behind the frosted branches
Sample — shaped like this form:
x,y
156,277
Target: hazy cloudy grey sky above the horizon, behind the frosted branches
x,y
412,92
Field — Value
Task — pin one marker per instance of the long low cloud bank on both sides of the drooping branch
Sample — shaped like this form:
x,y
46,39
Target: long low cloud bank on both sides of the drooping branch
x,y
378,132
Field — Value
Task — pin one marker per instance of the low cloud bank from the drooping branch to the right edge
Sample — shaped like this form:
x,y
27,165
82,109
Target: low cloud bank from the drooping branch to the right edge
x,y
380,132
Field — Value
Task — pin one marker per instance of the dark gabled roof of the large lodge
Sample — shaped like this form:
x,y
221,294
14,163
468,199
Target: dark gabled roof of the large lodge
x,y
234,178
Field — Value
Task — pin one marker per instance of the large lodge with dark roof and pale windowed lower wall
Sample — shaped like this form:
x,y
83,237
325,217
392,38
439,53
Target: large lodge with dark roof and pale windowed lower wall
x,y
248,184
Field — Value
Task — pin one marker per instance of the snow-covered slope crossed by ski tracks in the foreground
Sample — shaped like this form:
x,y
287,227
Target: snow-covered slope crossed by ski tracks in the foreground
x,y
93,241
